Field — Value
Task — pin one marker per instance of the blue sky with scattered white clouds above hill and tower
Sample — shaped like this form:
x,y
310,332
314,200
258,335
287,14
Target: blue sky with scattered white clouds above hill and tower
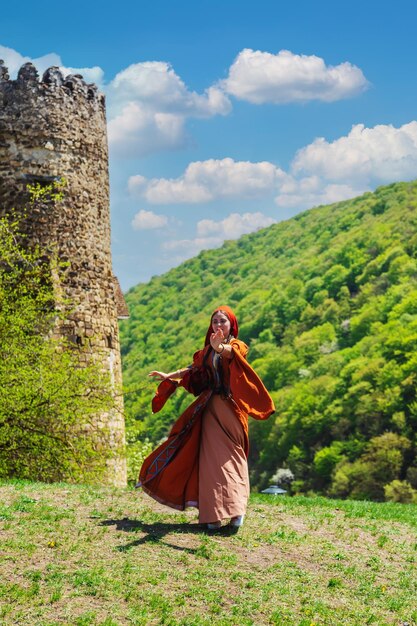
x,y
225,117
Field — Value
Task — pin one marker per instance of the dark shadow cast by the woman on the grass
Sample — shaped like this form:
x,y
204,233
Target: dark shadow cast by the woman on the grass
x,y
155,533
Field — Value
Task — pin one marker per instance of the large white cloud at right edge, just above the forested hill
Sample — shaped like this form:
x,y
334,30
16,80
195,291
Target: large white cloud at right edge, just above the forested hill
x,y
365,156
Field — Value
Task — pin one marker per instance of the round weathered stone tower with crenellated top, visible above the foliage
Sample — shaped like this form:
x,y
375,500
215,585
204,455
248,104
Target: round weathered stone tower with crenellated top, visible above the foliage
x,y
53,128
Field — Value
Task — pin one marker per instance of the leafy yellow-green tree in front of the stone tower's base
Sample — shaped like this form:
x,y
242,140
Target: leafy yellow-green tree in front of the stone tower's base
x,y
47,401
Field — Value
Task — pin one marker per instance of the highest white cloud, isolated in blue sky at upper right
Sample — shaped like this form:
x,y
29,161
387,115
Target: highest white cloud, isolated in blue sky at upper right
x,y
260,77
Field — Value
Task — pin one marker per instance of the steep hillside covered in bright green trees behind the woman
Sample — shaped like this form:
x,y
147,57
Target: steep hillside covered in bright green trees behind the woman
x,y
327,302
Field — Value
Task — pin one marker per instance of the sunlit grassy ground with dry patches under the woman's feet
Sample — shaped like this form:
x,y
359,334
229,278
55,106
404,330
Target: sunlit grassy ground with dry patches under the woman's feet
x,y
83,556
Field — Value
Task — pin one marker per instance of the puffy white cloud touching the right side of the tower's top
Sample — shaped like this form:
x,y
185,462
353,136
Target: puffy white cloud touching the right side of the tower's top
x,y
148,105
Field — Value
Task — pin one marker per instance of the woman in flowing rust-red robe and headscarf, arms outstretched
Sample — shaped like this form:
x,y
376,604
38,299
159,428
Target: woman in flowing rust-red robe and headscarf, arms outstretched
x,y
203,463
